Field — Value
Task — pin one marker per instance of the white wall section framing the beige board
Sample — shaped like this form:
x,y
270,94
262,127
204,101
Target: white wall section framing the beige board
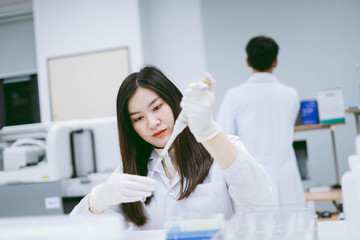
x,y
73,27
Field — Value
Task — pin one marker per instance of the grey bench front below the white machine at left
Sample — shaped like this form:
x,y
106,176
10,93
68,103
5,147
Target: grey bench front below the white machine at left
x,y
46,197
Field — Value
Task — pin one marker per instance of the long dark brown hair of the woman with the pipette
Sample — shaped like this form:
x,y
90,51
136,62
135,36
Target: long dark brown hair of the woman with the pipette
x,y
192,158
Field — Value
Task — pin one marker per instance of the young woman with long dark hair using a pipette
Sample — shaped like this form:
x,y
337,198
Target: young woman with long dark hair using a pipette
x,y
205,172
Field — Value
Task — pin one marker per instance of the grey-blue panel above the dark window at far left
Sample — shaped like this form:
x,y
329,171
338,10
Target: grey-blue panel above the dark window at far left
x,y
17,46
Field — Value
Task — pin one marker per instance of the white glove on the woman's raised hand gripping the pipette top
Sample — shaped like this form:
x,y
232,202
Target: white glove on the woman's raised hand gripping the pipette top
x,y
197,103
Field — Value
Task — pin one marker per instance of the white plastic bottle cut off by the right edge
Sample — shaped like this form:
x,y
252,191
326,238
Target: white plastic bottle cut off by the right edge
x,y
350,182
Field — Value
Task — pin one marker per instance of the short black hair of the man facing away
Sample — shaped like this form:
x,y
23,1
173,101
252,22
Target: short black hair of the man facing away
x,y
261,51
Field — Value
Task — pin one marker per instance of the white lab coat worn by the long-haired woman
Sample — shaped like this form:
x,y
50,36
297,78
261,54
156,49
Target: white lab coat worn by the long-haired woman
x,y
245,184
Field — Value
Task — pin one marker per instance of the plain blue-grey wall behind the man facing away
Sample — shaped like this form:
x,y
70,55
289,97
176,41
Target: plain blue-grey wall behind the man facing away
x,y
319,49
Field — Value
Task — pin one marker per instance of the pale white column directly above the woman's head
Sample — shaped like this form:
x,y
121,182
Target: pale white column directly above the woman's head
x,y
173,39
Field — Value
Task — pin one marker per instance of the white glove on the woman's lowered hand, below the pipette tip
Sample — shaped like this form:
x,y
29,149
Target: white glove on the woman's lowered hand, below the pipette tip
x,y
120,188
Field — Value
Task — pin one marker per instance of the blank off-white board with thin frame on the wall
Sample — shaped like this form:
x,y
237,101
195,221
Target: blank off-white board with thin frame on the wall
x,y
85,86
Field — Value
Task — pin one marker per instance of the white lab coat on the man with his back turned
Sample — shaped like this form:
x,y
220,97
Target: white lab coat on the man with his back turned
x,y
262,111
